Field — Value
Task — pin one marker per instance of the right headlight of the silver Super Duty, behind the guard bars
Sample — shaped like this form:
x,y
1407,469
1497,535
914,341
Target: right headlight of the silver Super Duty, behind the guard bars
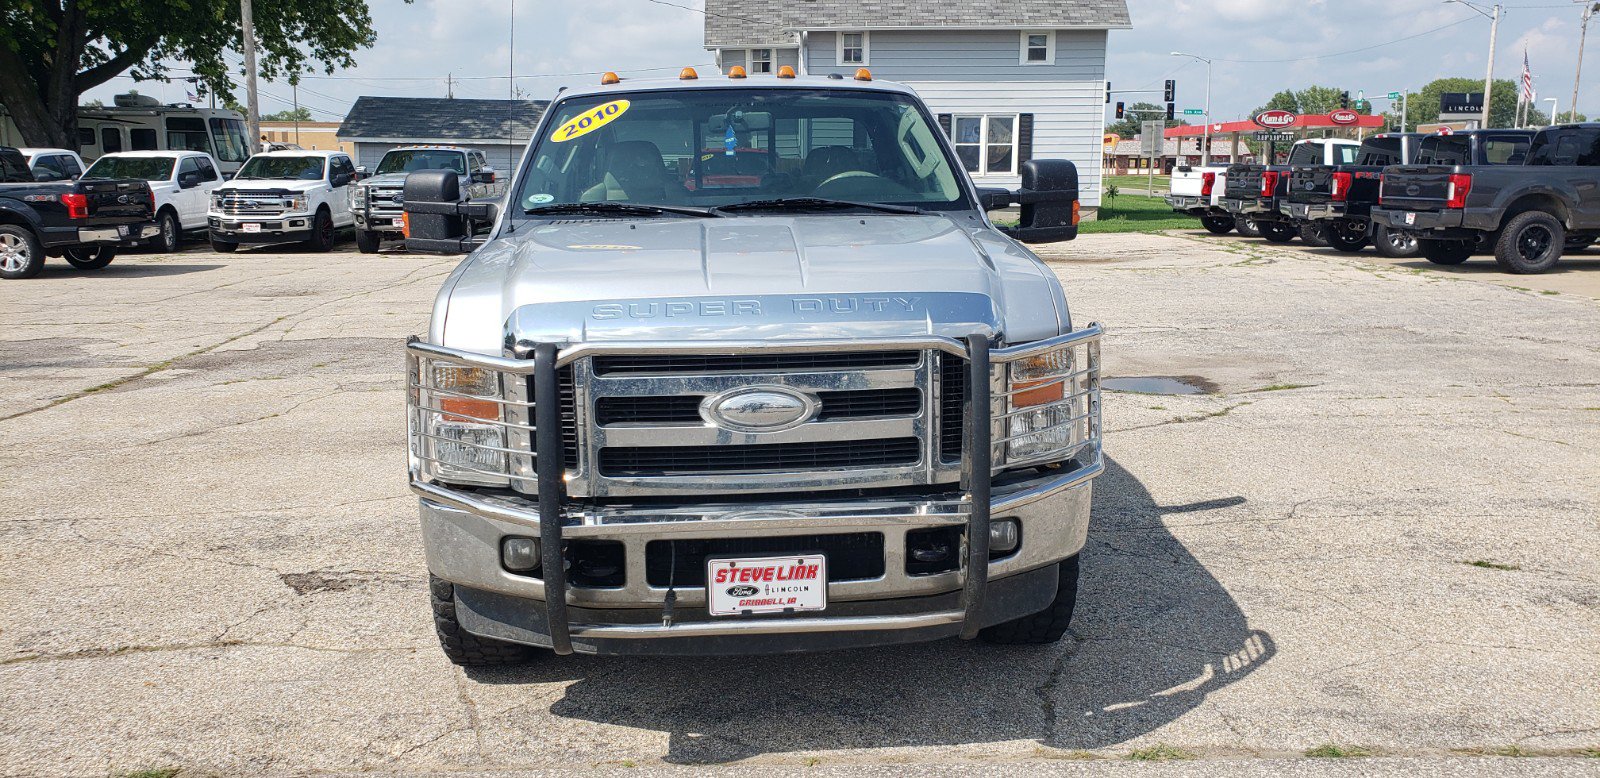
x,y
1047,411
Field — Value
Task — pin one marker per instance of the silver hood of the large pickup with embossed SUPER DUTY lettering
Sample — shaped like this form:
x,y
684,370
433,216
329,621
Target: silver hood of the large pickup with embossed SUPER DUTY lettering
x,y
748,278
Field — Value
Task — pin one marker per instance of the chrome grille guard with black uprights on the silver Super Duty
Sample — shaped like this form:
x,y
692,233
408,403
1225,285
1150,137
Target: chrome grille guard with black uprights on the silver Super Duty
x,y
542,460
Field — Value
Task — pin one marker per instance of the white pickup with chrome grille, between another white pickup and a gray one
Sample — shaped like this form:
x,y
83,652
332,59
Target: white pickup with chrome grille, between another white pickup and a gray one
x,y
284,198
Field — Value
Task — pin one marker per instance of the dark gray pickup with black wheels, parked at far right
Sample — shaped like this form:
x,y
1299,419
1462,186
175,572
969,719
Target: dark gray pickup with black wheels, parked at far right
x,y
1543,199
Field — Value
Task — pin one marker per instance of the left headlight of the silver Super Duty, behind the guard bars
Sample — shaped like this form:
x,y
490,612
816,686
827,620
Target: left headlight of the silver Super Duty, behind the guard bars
x,y
462,420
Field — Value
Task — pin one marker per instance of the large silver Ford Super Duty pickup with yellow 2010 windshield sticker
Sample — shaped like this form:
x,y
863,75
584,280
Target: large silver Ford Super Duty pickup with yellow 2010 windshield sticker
x,y
745,367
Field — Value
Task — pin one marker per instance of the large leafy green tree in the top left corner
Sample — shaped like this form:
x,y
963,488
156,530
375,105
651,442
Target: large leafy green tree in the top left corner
x,y
55,50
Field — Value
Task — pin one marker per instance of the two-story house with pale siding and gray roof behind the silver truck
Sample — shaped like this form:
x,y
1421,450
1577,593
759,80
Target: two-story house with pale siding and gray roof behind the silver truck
x,y
1009,81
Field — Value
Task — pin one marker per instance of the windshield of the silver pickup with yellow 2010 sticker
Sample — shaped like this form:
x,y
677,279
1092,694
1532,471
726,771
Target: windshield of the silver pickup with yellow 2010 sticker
x,y
710,148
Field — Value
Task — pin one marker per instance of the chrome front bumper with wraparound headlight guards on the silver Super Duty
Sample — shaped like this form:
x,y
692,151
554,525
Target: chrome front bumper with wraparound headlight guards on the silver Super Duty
x,y
463,532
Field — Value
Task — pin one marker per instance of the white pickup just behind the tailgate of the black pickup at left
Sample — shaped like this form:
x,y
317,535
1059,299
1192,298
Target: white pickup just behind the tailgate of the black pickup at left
x,y
182,180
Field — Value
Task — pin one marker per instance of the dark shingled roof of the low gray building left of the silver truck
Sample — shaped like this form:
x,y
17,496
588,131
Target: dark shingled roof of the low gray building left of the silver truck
x,y
442,119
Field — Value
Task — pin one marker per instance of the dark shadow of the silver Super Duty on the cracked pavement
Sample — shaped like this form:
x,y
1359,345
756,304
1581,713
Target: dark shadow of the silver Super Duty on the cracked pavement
x,y
1153,636
